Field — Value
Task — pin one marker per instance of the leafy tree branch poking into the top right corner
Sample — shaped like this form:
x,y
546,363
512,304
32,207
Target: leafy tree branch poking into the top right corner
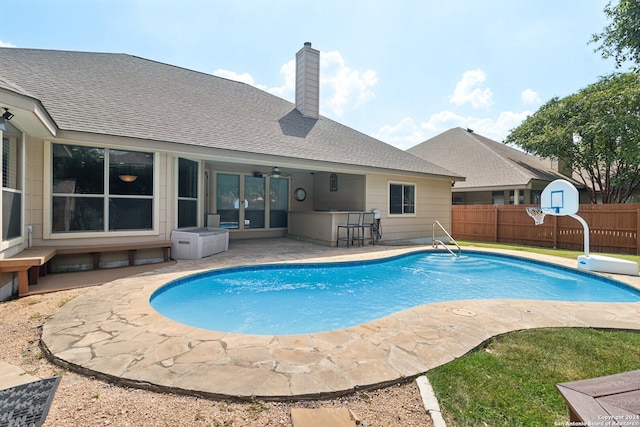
x,y
621,38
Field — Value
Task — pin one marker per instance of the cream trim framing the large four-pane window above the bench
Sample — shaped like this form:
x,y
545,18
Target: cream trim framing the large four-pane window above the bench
x,y
48,195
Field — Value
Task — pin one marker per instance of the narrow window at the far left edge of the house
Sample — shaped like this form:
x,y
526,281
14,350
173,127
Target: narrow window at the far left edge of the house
x,y
11,183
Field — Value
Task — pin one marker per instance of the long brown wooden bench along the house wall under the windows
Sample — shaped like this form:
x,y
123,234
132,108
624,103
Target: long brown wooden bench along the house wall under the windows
x,y
32,262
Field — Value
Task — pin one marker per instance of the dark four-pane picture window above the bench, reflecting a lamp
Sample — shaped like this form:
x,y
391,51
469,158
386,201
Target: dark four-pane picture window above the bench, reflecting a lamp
x,y
101,190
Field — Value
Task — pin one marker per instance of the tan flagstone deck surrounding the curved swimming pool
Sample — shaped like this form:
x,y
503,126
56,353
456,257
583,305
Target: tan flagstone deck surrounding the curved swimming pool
x,y
112,332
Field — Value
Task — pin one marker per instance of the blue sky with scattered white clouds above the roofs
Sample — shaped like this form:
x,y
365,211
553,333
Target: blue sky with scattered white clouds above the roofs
x,y
402,71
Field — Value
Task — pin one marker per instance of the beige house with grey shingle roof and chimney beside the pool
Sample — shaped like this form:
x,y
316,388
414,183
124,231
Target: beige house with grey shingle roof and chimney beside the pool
x,y
109,148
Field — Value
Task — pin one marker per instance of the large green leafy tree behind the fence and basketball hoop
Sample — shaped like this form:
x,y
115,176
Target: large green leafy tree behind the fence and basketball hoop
x,y
595,133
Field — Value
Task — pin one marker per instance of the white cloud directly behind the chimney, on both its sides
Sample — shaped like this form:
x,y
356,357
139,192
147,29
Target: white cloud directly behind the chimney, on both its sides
x,y
341,87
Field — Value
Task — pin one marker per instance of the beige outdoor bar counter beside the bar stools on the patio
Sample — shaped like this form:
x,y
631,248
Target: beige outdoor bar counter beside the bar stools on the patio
x,y
316,226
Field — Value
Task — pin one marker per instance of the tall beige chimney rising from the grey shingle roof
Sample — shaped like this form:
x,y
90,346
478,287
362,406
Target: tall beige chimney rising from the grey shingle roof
x,y
308,81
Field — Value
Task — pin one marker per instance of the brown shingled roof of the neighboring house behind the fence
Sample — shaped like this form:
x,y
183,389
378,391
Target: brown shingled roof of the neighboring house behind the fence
x,y
484,162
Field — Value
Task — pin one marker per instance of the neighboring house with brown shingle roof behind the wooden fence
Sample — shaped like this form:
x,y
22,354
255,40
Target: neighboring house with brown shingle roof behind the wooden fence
x,y
495,173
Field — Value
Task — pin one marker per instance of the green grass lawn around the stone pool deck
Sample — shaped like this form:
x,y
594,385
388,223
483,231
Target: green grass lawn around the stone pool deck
x,y
511,381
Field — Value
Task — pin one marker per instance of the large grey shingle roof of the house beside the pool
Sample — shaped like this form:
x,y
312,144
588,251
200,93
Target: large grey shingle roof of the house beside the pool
x,y
128,96
